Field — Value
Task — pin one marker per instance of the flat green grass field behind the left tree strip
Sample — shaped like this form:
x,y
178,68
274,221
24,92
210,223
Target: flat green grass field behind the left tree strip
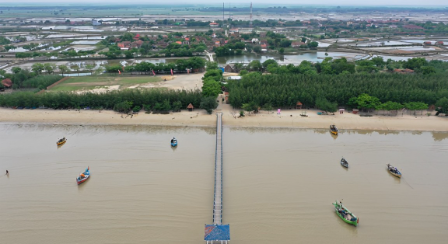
x,y
95,82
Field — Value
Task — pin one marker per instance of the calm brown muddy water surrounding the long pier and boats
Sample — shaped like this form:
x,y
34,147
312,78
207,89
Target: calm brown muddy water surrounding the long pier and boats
x,y
278,185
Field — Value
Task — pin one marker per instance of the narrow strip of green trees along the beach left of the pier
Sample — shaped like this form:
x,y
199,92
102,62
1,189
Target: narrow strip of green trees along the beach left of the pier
x,y
122,101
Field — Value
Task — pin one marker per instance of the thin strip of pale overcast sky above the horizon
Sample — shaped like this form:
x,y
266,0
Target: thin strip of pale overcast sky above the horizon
x,y
238,2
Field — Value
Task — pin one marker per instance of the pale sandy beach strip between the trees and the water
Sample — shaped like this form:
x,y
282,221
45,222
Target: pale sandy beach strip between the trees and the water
x,y
199,118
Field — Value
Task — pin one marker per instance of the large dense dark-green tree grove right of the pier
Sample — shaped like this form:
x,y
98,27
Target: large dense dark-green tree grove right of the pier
x,y
285,90
